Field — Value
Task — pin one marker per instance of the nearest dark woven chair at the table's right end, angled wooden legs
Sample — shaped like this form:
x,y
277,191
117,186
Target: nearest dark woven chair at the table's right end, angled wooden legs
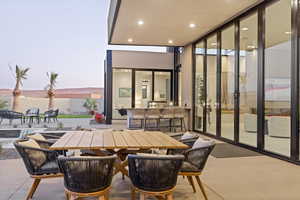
x,y
193,165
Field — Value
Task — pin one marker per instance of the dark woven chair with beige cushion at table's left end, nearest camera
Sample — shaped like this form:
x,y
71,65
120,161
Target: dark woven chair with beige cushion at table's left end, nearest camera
x,y
40,163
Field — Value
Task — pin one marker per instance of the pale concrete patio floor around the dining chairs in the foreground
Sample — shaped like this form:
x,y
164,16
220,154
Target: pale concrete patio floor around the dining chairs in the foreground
x,y
246,178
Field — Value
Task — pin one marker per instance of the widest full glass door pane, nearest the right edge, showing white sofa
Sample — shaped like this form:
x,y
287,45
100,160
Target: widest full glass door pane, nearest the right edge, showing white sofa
x,y
278,77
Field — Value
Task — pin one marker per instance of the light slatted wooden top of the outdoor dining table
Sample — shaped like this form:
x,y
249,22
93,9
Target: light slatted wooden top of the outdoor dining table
x,y
107,139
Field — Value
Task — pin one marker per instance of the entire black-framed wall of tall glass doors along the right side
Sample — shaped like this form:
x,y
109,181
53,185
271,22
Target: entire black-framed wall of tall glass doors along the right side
x,y
247,71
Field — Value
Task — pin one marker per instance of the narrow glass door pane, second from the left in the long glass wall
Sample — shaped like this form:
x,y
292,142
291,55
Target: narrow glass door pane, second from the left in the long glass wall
x,y
211,111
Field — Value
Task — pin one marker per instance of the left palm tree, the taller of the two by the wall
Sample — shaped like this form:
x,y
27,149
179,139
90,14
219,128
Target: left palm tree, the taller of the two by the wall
x,y
20,75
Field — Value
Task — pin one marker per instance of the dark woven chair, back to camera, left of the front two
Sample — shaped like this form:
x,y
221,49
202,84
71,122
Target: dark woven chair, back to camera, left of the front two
x,y
87,176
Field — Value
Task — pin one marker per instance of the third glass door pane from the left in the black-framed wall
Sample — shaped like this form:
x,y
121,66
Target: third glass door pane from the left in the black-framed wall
x,y
227,83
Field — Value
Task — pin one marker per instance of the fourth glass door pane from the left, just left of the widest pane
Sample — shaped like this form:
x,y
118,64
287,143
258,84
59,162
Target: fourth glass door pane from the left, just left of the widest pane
x,y
248,80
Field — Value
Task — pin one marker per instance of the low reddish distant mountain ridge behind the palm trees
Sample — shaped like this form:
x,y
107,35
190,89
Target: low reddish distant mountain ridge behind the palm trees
x,y
89,92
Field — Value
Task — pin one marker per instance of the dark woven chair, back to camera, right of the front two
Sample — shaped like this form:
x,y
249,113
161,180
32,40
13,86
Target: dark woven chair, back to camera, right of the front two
x,y
154,175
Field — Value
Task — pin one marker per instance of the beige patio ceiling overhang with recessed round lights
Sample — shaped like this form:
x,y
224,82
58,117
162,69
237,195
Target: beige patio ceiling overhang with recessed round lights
x,y
169,22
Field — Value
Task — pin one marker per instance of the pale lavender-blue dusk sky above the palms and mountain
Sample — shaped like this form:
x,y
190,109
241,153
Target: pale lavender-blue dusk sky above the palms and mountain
x,y
63,36
